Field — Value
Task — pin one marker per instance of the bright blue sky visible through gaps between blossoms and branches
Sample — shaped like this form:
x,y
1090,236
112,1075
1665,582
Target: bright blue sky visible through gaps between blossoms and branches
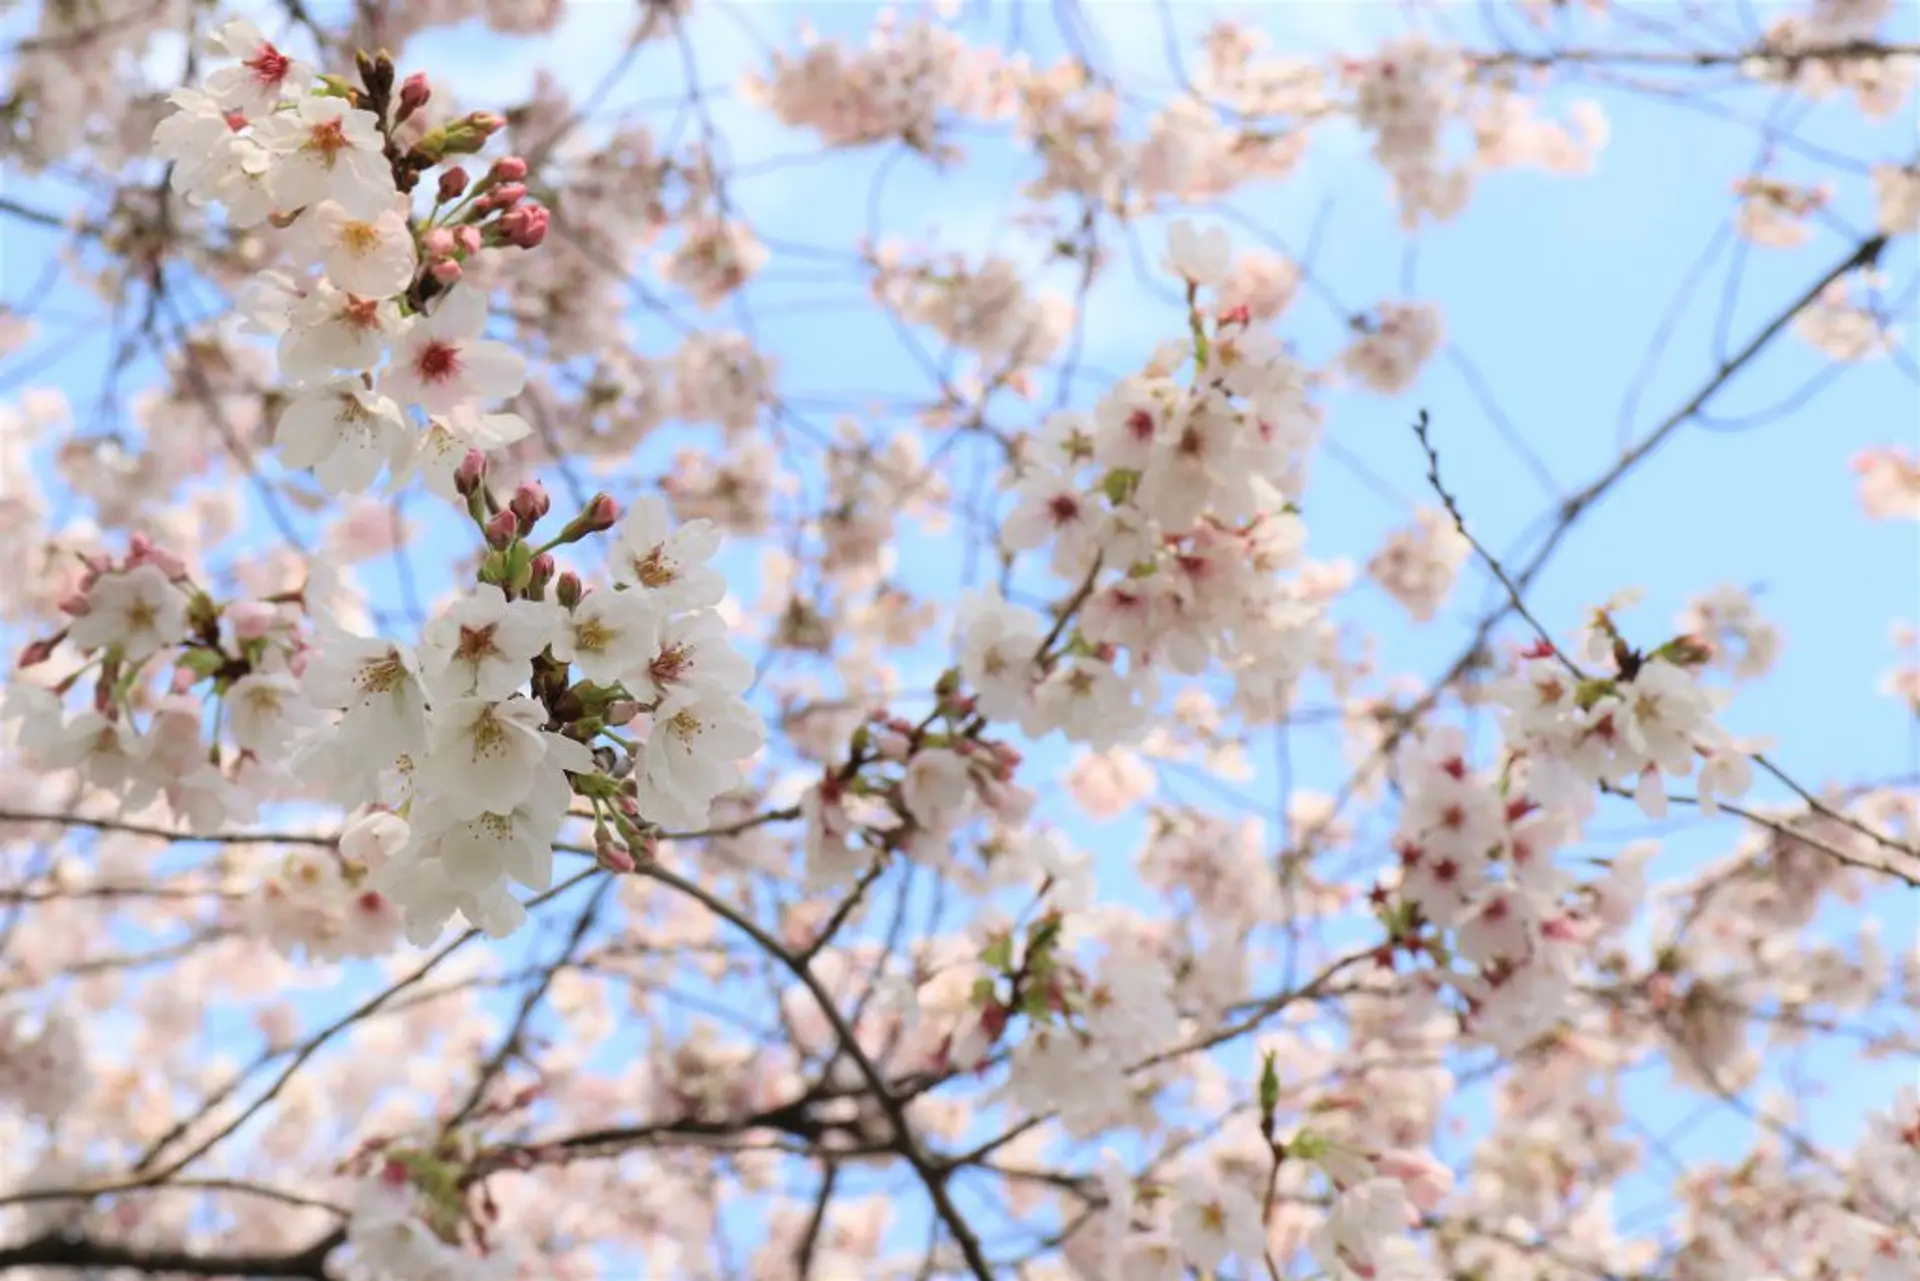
x,y
1552,291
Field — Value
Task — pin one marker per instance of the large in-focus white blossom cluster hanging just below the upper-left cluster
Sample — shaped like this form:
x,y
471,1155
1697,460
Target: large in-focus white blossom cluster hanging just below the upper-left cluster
x,y
483,735
